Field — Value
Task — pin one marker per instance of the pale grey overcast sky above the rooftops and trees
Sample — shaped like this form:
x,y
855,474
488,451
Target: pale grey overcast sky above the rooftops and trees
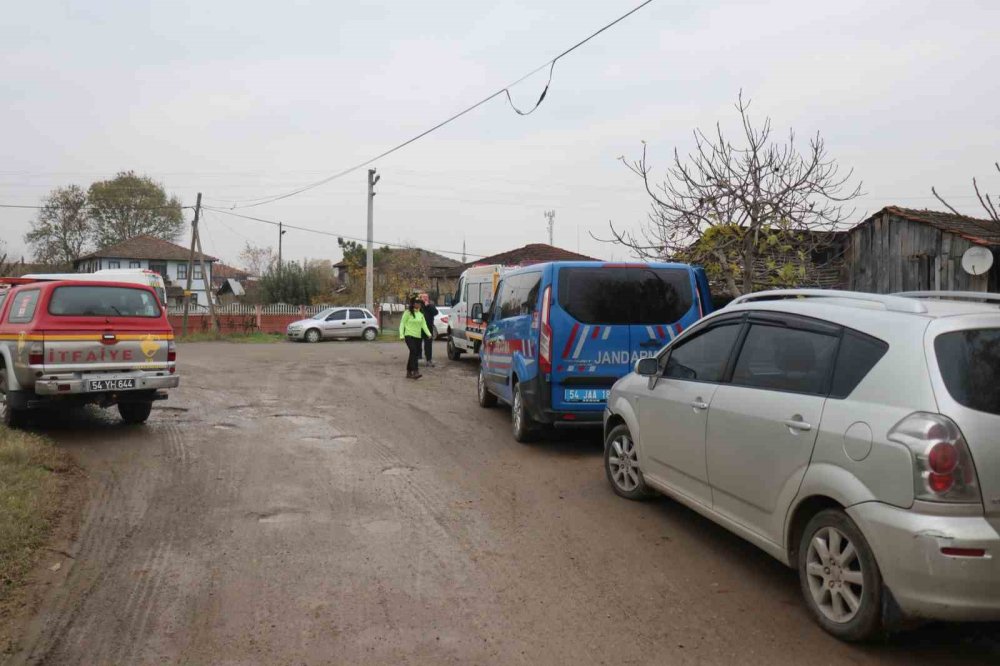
x,y
241,100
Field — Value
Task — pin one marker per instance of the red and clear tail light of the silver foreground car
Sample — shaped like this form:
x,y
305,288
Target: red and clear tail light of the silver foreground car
x,y
942,465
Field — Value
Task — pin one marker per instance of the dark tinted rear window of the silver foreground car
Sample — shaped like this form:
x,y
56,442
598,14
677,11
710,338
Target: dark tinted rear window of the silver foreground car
x,y
970,367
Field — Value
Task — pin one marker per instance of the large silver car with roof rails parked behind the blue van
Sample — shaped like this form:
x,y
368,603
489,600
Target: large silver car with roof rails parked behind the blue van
x,y
851,436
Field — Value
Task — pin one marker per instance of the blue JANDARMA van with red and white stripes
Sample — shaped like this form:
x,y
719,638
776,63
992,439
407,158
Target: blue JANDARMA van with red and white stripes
x,y
558,335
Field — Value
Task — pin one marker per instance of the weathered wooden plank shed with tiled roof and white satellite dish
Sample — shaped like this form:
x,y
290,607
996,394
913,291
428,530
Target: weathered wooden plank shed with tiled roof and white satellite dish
x,y
901,249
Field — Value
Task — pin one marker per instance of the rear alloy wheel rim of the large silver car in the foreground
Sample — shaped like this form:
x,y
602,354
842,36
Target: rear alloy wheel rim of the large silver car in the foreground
x,y
833,571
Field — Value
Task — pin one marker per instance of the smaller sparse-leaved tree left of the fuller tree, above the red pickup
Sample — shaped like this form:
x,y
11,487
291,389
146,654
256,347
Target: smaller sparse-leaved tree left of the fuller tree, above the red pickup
x,y
62,230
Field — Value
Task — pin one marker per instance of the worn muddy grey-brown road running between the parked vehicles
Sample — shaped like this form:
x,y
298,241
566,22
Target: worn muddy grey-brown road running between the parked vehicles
x,y
306,504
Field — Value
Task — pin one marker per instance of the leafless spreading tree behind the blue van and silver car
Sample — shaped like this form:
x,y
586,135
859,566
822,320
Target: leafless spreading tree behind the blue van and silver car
x,y
752,214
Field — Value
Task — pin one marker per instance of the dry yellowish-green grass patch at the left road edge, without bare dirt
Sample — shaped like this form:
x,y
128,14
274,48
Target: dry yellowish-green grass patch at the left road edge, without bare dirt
x,y
30,498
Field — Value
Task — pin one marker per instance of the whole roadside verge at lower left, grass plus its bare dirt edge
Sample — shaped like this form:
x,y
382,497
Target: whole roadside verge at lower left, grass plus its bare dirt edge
x,y
37,485
